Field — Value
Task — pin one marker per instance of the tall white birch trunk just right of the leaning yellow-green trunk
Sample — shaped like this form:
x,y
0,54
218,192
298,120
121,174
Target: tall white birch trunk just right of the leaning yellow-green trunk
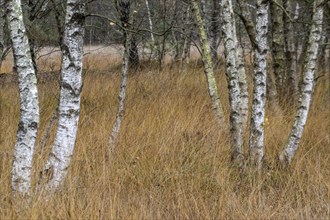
x,y
230,41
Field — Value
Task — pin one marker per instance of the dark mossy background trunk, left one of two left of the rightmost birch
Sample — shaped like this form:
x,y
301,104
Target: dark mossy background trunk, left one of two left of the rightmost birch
x,y
278,43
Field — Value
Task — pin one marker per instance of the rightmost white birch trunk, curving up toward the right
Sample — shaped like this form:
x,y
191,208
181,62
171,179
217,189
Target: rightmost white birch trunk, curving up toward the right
x,y
307,85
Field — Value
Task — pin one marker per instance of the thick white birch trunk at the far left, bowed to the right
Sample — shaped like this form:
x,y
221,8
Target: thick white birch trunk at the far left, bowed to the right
x,y
29,105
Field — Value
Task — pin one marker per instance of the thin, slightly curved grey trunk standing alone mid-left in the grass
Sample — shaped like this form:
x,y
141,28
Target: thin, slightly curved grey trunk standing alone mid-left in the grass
x,y
122,94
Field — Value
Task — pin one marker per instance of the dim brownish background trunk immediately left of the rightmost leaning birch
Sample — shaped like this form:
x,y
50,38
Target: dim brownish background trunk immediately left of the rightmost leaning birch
x,y
291,52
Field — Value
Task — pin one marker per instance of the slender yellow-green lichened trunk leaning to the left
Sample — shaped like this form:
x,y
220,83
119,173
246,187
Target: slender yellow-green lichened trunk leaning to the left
x,y
208,65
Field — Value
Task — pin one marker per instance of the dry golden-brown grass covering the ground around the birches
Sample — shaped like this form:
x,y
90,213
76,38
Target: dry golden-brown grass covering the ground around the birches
x,y
171,161
